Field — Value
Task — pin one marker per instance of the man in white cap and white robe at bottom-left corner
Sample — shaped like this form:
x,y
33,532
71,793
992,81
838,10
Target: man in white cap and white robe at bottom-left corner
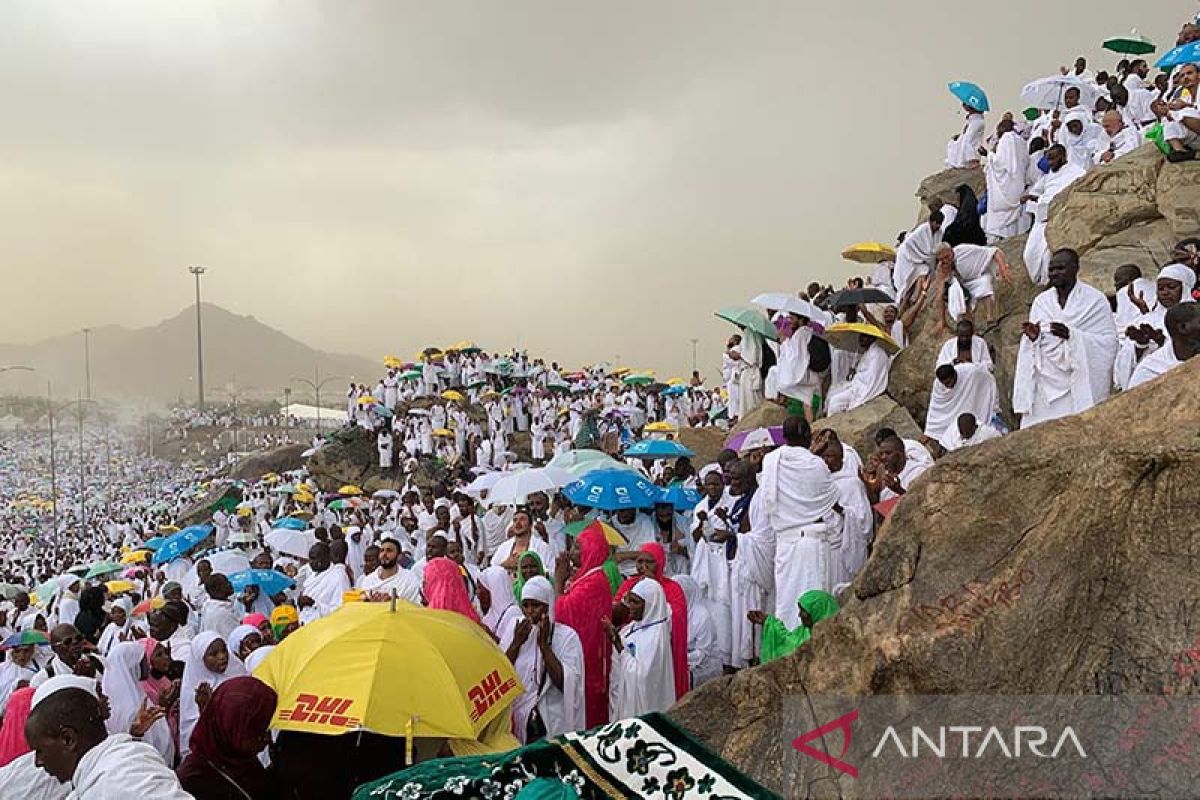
x,y
67,731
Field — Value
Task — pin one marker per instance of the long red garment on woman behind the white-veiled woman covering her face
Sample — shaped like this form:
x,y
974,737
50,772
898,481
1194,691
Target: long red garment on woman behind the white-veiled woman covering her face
x,y
584,606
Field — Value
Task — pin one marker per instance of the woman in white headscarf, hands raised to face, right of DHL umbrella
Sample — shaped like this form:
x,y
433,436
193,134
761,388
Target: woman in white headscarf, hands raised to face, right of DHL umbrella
x,y
549,659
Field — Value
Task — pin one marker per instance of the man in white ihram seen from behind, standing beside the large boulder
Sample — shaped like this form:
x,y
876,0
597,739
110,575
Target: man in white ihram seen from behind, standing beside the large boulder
x,y
801,500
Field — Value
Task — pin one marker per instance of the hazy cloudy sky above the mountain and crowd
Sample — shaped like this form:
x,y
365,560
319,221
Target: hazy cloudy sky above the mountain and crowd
x,y
583,179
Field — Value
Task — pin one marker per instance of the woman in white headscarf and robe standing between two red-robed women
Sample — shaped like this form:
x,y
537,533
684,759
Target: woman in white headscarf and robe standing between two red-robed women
x,y
643,670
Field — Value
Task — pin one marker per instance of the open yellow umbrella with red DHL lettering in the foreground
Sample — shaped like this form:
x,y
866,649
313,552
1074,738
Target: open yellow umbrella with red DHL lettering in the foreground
x,y
395,670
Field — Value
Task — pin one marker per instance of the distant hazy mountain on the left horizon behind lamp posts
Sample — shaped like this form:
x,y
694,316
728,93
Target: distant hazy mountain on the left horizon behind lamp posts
x,y
159,363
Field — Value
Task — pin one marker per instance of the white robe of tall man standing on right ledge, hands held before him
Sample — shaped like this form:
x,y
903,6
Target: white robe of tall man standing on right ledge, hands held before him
x,y
1055,377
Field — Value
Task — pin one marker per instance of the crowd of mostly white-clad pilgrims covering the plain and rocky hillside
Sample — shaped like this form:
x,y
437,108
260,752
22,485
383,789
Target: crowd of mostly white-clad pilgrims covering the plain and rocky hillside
x,y
149,690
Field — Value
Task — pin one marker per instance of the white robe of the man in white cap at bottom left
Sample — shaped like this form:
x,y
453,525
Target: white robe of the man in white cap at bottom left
x,y
121,768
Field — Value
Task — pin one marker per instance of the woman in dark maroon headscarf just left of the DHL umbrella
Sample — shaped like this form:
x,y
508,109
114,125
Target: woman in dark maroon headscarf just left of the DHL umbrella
x,y
232,731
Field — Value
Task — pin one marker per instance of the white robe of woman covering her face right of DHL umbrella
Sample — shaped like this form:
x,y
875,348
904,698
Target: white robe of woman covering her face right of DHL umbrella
x,y
561,709
